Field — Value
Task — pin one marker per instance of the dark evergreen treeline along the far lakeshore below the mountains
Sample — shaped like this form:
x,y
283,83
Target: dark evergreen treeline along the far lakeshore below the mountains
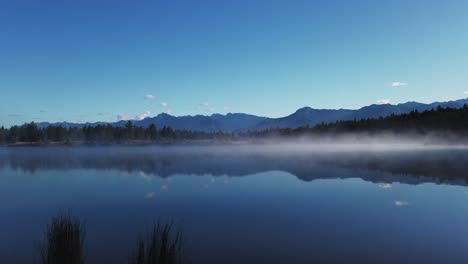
x,y
439,120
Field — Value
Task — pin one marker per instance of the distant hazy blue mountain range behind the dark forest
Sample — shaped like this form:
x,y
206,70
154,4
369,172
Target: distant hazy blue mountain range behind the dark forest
x,y
238,122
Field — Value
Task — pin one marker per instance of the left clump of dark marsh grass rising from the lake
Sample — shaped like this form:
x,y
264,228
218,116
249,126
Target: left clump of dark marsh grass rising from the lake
x,y
64,241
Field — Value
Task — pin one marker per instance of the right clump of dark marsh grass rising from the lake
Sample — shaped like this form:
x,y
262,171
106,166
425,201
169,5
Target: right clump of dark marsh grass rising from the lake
x,y
161,245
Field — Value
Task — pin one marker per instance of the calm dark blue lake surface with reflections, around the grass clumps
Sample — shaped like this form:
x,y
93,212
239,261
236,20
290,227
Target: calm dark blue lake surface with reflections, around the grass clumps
x,y
243,205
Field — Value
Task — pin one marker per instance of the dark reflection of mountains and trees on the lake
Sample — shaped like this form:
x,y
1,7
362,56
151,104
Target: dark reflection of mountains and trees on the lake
x,y
412,167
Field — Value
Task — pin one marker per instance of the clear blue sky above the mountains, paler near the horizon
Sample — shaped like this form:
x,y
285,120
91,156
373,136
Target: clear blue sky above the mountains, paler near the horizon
x,y
94,60
